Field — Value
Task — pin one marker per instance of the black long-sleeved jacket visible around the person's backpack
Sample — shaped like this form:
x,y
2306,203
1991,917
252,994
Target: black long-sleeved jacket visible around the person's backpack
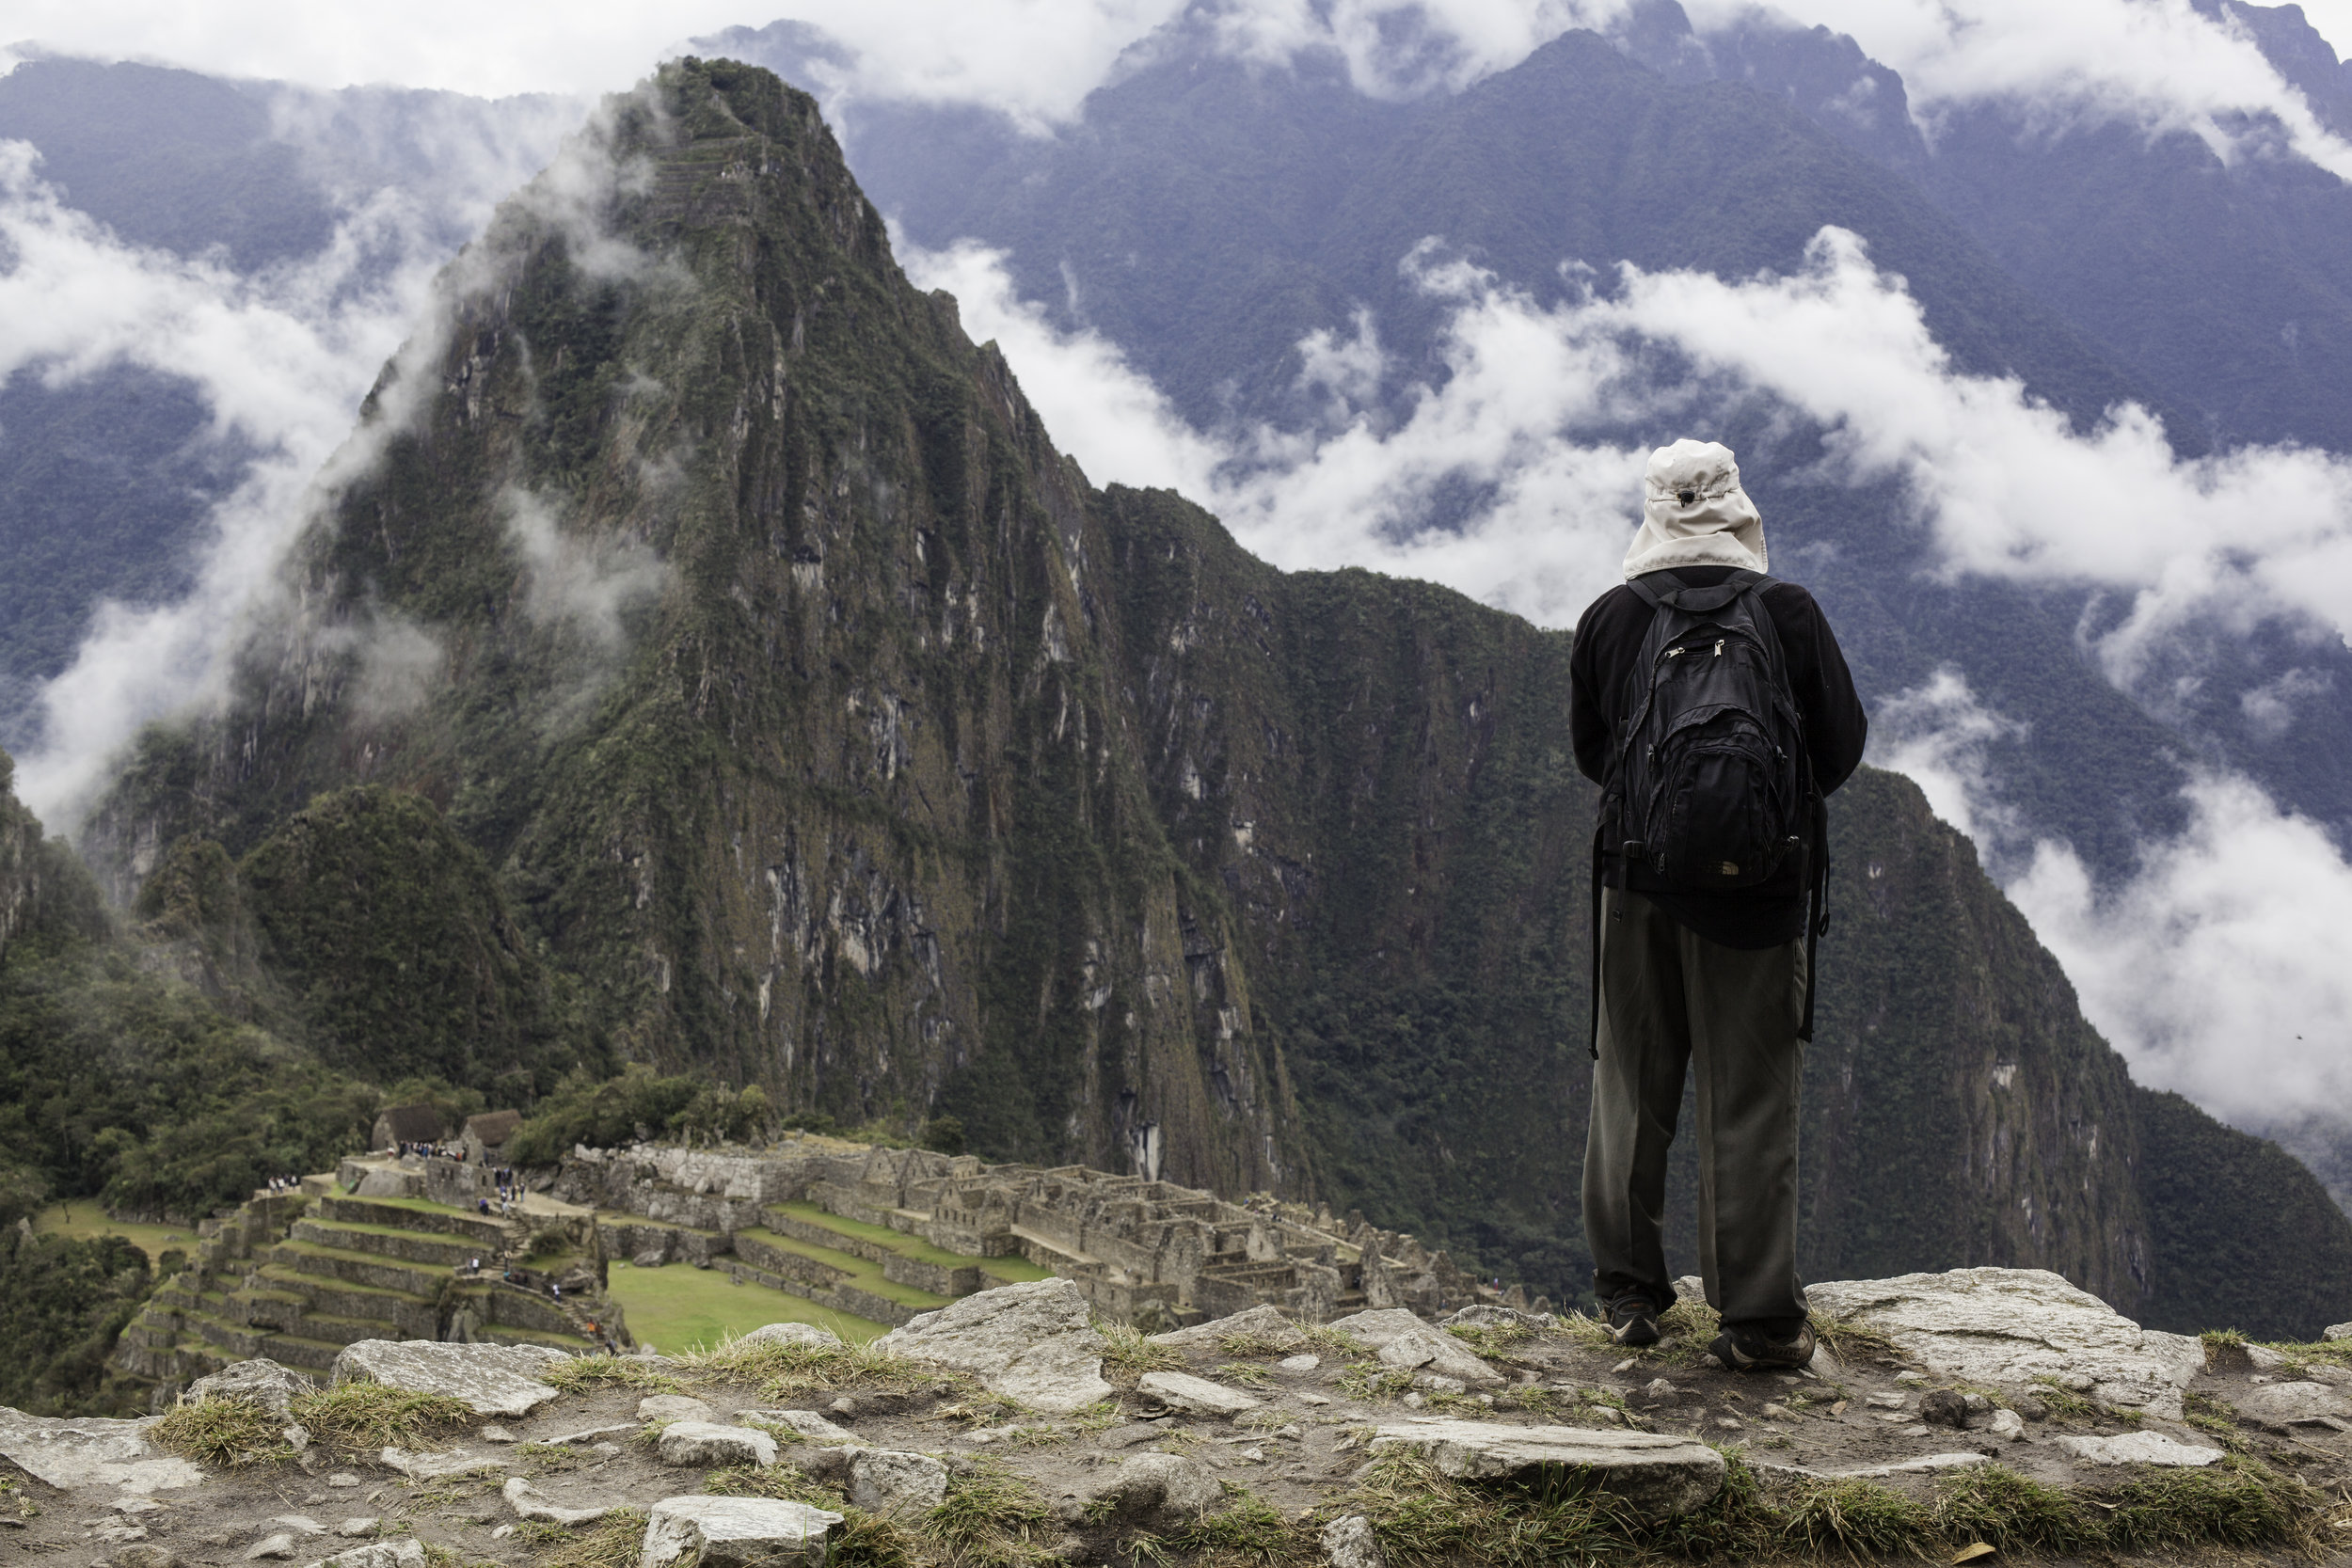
x,y
1601,692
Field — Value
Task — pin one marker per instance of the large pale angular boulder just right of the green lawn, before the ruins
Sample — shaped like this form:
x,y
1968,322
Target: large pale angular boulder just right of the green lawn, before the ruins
x,y
1034,1343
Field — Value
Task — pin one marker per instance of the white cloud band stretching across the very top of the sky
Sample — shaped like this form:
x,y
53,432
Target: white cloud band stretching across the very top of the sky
x,y
2158,65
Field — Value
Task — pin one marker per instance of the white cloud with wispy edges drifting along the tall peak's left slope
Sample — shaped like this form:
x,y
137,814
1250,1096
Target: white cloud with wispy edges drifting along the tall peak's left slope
x,y
283,359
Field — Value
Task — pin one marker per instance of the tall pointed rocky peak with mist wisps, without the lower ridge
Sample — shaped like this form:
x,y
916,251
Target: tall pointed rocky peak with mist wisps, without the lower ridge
x,y
737,605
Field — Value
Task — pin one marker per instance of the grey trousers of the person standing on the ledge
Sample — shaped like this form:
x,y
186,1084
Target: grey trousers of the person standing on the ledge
x,y
1671,1003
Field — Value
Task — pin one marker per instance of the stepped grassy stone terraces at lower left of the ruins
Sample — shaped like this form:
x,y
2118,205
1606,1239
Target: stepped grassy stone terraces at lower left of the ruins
x,y
298,1278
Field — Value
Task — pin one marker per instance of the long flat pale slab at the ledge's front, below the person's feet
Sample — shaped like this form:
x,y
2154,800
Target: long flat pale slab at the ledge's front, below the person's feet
x,y
1655,1473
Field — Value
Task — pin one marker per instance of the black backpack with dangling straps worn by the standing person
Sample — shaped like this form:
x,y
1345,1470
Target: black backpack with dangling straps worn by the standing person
x,y
1711,784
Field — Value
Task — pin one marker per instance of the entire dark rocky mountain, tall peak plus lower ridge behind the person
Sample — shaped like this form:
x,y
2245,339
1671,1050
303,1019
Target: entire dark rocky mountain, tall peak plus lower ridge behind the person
x,y
841,737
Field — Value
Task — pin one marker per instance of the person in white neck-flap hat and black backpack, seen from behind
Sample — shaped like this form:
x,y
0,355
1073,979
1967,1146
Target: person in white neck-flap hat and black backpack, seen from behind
x,y
1709,880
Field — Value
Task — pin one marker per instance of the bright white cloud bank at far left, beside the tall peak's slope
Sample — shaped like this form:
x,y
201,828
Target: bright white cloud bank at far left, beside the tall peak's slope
x,y
281,359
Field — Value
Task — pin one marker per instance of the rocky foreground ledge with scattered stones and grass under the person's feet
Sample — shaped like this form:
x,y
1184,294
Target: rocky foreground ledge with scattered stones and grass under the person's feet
x,y
1984,1412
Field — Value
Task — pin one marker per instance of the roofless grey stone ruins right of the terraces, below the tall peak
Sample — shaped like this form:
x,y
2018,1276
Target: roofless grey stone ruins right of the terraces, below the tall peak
x,y
1144,1252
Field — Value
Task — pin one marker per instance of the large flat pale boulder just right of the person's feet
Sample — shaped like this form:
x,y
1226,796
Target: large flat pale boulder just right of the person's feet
x,y
2012,1327
